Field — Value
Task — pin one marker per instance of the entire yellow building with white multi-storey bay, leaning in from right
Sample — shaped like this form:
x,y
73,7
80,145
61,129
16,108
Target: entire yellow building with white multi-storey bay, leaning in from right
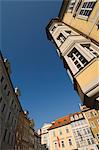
x,y
75,33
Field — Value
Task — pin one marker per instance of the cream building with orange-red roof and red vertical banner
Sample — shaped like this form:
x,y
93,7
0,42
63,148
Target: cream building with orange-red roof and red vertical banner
x,y
61,136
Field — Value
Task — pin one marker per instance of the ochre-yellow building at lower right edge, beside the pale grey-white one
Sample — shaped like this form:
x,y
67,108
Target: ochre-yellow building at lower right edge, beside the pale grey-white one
x,y
92,117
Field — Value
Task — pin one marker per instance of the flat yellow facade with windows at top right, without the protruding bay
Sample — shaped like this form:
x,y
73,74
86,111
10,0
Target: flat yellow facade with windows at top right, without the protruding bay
x,y
82,15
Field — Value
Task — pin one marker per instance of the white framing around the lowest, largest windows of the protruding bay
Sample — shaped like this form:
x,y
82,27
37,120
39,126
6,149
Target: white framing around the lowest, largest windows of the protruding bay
x,y
85,52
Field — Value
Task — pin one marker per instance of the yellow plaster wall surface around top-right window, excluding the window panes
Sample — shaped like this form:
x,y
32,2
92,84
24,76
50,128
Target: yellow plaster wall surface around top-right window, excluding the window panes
x,y
88,26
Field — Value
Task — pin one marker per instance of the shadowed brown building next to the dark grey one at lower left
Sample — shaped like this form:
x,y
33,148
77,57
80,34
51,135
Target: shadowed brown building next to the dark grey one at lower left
x,y
25,133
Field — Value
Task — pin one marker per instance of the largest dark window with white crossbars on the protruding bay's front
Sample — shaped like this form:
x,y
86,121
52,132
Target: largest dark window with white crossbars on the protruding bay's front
x,y
77,58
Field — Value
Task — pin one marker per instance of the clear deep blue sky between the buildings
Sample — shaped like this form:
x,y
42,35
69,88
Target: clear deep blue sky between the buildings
x,y
46,90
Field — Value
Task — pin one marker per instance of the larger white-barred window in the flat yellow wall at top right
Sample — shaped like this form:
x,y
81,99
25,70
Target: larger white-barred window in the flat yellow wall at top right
x,y
87,8
